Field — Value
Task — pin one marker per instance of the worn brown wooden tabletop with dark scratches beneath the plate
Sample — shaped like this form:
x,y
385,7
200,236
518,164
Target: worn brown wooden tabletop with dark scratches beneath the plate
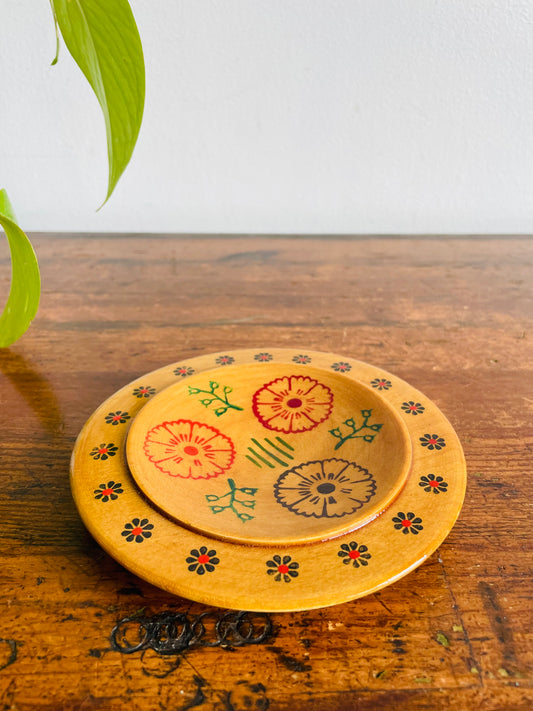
x,y
452,316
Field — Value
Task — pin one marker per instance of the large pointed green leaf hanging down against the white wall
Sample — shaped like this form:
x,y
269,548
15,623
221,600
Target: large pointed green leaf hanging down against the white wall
x,y
102,37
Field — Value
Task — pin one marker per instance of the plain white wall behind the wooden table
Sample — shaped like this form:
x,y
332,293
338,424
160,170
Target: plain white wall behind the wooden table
x,y
283,116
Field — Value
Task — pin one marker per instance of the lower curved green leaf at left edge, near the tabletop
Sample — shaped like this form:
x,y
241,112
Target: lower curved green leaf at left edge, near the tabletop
x,y
23,300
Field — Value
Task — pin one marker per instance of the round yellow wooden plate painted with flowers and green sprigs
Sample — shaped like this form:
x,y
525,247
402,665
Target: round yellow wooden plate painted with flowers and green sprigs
x,y
269,480
